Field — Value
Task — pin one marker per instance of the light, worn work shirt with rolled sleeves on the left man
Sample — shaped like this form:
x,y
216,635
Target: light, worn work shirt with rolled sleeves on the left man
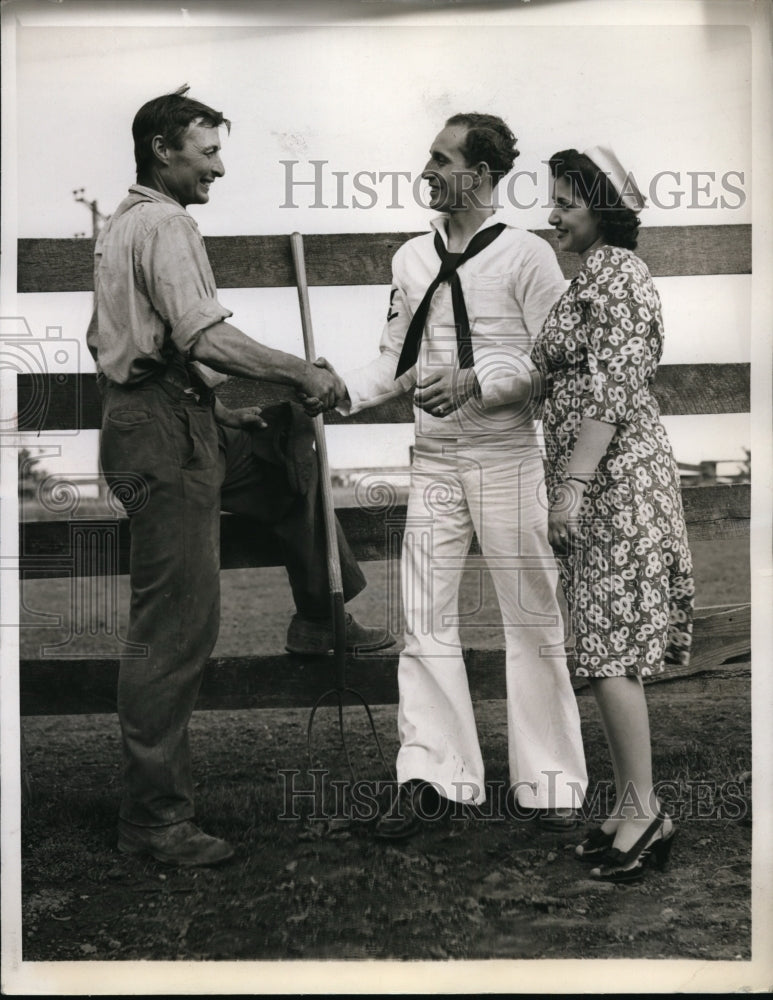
x,y
154,290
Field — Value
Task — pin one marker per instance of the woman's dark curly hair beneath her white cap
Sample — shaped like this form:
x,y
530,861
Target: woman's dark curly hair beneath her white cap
x,y
618,224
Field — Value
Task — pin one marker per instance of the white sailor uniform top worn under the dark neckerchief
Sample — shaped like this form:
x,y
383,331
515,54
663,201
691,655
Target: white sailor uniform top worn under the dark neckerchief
x,y
508,290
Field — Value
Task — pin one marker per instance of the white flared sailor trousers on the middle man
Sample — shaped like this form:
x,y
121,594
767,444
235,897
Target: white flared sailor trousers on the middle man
x,y
497,490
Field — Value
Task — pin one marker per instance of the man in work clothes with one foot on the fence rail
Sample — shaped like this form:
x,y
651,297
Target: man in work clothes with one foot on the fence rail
x,y
176,456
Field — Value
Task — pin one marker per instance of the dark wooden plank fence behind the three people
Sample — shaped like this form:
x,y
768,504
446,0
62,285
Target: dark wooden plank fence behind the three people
x,y
79,547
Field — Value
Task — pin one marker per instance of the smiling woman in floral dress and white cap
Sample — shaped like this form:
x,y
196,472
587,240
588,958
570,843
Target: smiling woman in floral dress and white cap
x,y
615,519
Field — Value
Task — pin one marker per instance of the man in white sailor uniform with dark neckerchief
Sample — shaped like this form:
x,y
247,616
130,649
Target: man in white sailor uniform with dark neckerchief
x,y
466,302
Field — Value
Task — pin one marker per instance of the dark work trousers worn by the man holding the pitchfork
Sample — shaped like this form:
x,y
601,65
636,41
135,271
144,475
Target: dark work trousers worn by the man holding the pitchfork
x,y
175,469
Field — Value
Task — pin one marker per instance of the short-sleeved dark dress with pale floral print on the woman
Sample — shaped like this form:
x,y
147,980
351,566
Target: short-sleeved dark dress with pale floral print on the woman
x,y
628,577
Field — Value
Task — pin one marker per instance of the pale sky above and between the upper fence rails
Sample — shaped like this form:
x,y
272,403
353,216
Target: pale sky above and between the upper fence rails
x,y
673,100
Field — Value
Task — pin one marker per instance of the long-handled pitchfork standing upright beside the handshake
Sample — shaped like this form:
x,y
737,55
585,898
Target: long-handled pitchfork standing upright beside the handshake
x,y
341,689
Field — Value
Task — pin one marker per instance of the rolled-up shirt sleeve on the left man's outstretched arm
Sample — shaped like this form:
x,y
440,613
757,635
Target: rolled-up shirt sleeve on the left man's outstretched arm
x,y
179,281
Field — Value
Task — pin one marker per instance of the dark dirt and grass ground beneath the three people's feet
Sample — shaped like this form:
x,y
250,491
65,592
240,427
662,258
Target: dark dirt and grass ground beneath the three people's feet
x,y
463,888
